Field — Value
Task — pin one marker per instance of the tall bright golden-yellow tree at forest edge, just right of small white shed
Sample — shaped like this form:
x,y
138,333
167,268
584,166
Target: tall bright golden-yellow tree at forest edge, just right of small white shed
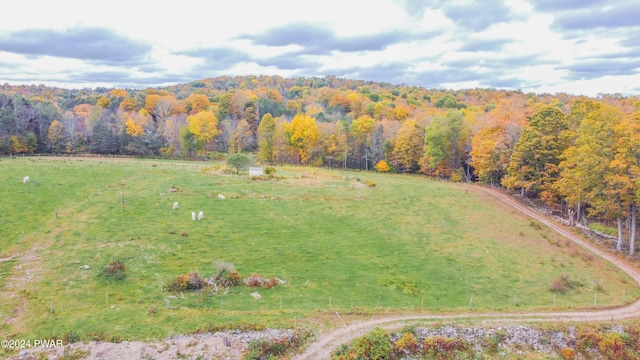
x,y
302,135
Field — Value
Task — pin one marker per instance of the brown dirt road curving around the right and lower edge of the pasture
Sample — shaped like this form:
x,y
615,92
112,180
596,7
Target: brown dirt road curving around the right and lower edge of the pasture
x,y
327,343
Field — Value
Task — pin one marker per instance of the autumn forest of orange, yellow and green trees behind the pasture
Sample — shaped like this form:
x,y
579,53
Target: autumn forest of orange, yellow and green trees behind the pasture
x,y
578,154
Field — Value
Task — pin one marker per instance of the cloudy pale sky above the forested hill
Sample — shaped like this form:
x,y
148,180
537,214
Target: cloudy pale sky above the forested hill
x,y
580,47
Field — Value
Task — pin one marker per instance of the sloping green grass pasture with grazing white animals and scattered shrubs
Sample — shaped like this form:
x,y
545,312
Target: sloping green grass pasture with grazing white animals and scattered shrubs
x,y
404,244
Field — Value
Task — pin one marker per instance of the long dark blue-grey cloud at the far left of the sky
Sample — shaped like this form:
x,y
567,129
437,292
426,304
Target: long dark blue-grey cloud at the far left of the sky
x,y
91,44
